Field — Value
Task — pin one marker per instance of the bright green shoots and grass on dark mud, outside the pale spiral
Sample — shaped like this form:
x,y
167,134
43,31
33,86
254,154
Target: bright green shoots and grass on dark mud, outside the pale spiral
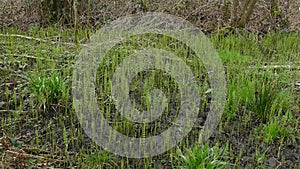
x,y
259,126
